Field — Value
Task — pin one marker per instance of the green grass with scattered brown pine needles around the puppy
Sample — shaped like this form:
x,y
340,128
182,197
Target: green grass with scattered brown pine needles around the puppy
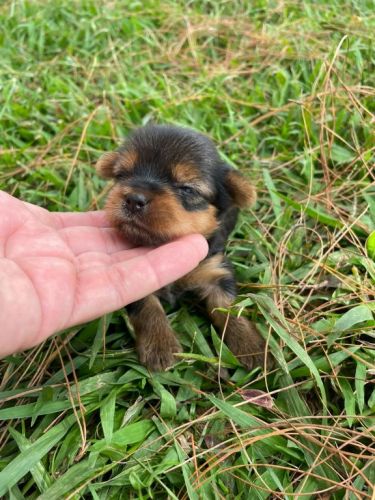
x,y
286,89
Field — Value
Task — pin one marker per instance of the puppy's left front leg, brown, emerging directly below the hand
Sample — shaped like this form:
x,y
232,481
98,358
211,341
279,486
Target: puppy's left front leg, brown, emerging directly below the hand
x,y
155,340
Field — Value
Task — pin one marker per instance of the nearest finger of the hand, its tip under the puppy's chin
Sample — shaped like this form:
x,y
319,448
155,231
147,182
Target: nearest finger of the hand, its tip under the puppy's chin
x,y
102,289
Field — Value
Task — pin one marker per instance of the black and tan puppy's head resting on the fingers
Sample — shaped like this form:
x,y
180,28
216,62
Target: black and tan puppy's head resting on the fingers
x,y
169,182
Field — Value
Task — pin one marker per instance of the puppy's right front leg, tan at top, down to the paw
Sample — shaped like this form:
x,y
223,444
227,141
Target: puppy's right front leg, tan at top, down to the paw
x,y
215,283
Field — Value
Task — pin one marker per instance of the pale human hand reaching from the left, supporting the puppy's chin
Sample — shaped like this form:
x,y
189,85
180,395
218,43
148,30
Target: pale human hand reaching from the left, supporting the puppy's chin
x,y
62,269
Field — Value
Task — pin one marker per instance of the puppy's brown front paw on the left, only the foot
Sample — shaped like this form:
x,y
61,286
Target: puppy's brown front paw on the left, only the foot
x,y
156,352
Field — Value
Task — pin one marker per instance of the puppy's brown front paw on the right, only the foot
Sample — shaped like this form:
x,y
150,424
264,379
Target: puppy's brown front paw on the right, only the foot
x,y
246,343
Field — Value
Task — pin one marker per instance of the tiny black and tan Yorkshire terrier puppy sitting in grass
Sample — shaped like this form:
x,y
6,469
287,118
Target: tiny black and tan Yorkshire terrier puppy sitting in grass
x,y
169,182
